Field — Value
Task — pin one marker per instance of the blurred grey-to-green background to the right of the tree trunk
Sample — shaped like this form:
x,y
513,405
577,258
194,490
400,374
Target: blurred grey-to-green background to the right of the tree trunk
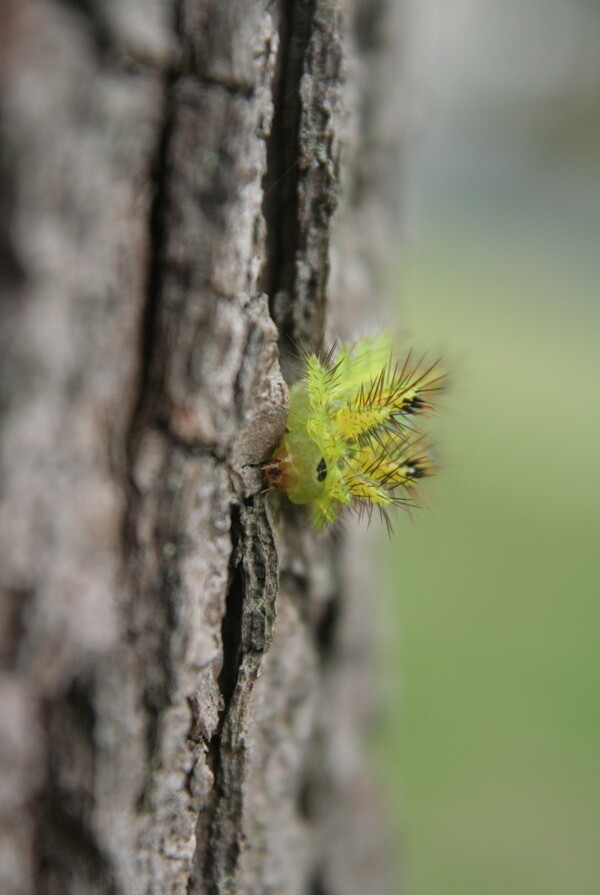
x,y
490,750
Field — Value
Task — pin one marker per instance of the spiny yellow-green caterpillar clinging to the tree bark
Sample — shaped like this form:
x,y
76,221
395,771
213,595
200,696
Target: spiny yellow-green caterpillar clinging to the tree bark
x,y
351,439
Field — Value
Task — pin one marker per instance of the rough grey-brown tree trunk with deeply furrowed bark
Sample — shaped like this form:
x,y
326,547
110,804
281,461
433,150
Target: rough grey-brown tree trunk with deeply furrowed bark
x,y
183,685
